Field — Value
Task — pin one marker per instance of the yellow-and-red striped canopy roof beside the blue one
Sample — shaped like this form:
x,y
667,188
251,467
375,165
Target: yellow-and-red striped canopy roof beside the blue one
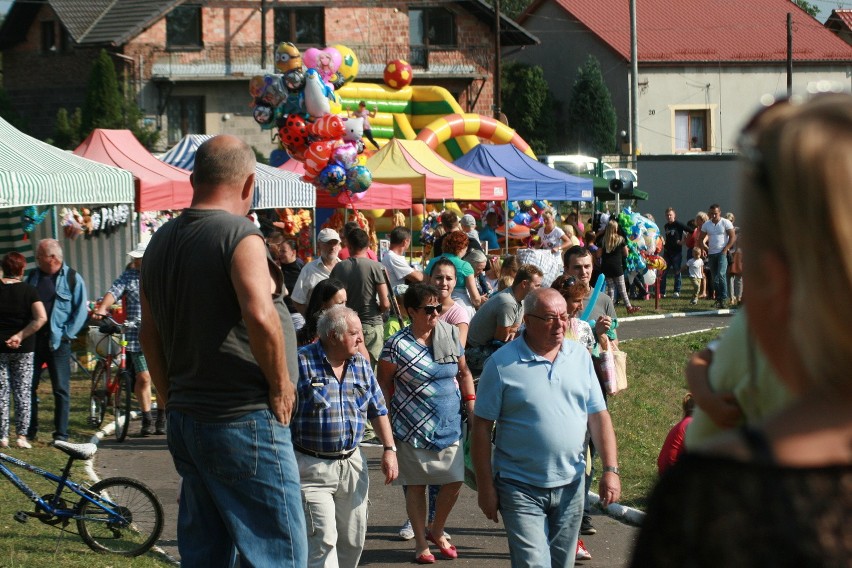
x,y
431,177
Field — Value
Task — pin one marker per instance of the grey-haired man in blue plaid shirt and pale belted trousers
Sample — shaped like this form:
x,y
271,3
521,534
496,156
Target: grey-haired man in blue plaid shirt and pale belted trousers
x,y
337,394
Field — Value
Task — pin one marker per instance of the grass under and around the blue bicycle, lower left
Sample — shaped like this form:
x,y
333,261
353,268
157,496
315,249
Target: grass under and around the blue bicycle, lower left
x,y
37,544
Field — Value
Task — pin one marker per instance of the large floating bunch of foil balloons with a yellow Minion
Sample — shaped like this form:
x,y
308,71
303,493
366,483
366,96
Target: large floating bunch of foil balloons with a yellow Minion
x,y
303,106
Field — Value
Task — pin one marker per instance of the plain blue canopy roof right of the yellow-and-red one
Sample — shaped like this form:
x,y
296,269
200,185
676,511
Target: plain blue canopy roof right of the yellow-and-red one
x,y
525,178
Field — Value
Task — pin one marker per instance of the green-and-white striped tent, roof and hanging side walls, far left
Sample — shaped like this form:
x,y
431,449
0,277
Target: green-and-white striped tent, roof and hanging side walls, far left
x,y
33,173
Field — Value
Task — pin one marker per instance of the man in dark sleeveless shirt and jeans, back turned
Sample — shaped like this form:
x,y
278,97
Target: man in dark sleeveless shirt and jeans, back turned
x,y
220,342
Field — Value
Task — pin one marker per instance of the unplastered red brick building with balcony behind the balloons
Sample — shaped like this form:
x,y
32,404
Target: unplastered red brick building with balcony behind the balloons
x,y
189,62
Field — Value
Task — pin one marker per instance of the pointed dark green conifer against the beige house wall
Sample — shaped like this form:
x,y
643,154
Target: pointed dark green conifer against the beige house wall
x,y
591,116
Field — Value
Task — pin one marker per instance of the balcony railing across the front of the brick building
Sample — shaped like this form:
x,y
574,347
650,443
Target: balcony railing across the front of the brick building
x,y
224,62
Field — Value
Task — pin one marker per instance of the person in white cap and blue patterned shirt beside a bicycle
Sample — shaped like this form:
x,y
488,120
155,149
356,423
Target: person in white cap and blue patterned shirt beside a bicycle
x,y
127,286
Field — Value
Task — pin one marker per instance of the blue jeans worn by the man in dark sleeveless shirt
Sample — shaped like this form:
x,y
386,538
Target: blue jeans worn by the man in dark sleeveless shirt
x,y
240,488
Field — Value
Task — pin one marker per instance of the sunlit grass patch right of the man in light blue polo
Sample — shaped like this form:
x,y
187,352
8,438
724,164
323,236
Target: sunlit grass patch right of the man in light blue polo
x,y
645,412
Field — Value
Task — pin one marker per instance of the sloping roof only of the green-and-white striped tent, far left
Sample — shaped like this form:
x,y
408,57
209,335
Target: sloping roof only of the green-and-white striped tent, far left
x,y
35,173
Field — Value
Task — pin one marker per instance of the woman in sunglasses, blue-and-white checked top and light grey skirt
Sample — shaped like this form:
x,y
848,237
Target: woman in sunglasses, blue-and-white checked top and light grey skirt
x,y
424,368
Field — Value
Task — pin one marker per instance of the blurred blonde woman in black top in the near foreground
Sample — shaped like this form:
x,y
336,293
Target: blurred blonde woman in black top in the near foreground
x,y
777,493
